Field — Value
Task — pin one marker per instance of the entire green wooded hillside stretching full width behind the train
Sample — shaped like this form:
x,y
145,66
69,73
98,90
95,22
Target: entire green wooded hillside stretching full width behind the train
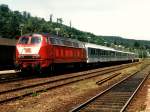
x,y
15,23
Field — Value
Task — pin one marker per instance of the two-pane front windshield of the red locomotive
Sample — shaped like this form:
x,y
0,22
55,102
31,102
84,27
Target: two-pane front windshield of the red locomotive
x,y
30,40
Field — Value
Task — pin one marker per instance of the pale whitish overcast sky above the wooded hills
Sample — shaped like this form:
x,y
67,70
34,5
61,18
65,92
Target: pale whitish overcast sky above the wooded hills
x,y
125,18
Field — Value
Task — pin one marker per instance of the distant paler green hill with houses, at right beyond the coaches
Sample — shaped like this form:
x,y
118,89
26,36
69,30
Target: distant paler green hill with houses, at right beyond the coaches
x,y
140,47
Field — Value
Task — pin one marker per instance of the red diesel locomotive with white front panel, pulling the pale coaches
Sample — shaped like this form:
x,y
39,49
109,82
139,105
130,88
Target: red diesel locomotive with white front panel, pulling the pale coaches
x,y
39,51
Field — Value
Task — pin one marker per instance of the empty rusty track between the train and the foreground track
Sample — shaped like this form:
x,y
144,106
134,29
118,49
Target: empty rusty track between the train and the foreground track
x,y
22,91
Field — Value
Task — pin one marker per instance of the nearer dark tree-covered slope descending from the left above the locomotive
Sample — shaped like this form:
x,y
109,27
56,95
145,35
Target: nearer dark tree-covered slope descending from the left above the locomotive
x,y
12,22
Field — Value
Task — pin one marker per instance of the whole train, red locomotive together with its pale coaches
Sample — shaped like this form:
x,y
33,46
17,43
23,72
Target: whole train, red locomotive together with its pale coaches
x,y
40,52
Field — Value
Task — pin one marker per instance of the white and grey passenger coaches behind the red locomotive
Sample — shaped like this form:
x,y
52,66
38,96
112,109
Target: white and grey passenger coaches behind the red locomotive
x,y
97,53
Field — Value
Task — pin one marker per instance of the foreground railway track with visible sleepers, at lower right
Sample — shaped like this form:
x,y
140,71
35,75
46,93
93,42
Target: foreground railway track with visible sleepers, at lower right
x,y
117,97
